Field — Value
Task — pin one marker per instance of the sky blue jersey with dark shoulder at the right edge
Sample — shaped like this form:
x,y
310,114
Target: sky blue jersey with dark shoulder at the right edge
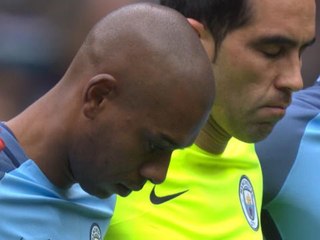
x,y
290,160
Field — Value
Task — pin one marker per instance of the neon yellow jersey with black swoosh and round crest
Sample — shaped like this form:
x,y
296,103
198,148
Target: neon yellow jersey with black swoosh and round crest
x,y
204,196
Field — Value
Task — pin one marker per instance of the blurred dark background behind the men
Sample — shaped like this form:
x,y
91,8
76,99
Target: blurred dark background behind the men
x,y
39,39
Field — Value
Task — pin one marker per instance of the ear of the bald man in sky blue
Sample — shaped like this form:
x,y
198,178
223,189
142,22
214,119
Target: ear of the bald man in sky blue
x,y
98,90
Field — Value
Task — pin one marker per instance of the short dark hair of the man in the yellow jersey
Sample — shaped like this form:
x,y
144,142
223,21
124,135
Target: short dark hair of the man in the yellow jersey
x,y
219,16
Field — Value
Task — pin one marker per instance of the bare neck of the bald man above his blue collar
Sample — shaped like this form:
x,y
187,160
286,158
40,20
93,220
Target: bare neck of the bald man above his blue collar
x,y
37,134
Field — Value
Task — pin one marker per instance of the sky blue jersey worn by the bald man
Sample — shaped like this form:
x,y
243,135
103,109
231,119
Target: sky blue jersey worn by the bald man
x,y
32,208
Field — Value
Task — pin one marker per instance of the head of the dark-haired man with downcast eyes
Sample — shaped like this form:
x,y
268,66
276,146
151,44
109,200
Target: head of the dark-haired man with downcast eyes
x,y
255,47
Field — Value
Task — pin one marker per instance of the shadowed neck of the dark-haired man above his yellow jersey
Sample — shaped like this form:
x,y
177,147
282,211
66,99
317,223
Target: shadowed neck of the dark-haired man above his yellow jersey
x,y
212,138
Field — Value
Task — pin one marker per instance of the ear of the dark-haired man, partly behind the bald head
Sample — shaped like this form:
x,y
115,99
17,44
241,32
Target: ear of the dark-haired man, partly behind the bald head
x,y
205,36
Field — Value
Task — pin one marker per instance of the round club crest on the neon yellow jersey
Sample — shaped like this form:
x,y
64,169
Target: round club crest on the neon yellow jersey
x,y
248,202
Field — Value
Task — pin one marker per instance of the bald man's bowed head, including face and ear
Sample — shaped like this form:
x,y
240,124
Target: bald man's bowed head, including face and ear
x,y
140,86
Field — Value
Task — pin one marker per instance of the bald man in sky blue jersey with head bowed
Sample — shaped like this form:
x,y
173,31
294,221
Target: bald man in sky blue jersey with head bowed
x,y
140,86
